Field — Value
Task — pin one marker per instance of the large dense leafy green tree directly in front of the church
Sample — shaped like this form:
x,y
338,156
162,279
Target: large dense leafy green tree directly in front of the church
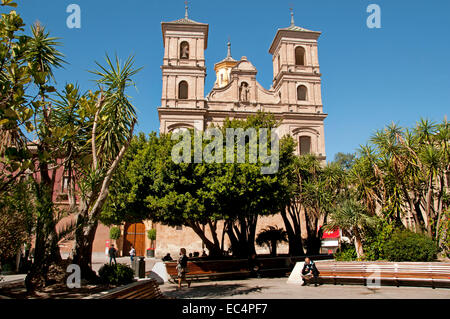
x,y
200,195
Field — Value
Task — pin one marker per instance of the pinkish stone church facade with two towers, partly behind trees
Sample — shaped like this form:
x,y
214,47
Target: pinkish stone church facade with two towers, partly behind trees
x,y
294,98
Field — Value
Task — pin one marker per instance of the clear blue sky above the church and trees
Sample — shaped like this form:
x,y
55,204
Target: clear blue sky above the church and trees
x,y
371,77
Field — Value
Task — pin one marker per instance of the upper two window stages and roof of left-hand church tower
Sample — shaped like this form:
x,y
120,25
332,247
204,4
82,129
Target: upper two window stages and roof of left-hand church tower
x,y
183,69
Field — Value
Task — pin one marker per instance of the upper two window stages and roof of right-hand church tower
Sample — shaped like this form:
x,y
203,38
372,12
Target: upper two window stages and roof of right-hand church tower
x,y
296,72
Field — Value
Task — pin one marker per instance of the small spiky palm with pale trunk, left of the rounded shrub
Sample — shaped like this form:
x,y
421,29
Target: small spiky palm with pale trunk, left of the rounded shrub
x,y
352,217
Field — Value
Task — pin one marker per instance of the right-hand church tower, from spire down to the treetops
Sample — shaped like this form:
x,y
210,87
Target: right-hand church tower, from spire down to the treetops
x,y
297,81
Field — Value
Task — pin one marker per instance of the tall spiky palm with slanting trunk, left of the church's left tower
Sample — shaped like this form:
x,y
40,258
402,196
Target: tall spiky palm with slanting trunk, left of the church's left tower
x,y
111,125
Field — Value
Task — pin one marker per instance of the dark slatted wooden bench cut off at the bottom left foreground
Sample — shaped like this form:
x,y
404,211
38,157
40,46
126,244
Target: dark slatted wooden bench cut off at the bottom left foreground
x,y
145,289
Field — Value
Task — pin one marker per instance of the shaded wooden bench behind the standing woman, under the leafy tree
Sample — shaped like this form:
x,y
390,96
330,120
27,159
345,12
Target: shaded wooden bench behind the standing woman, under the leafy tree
x,y
210,269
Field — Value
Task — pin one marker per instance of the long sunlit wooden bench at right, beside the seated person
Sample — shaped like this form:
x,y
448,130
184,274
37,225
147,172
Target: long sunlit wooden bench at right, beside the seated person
x,y
386,273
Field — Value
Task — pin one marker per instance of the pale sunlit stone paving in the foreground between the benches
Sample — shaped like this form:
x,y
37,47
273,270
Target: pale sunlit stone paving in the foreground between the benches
x,y
278,288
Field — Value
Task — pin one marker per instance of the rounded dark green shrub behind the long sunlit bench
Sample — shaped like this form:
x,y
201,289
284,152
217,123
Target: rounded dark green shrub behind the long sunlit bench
x,y
405,245
